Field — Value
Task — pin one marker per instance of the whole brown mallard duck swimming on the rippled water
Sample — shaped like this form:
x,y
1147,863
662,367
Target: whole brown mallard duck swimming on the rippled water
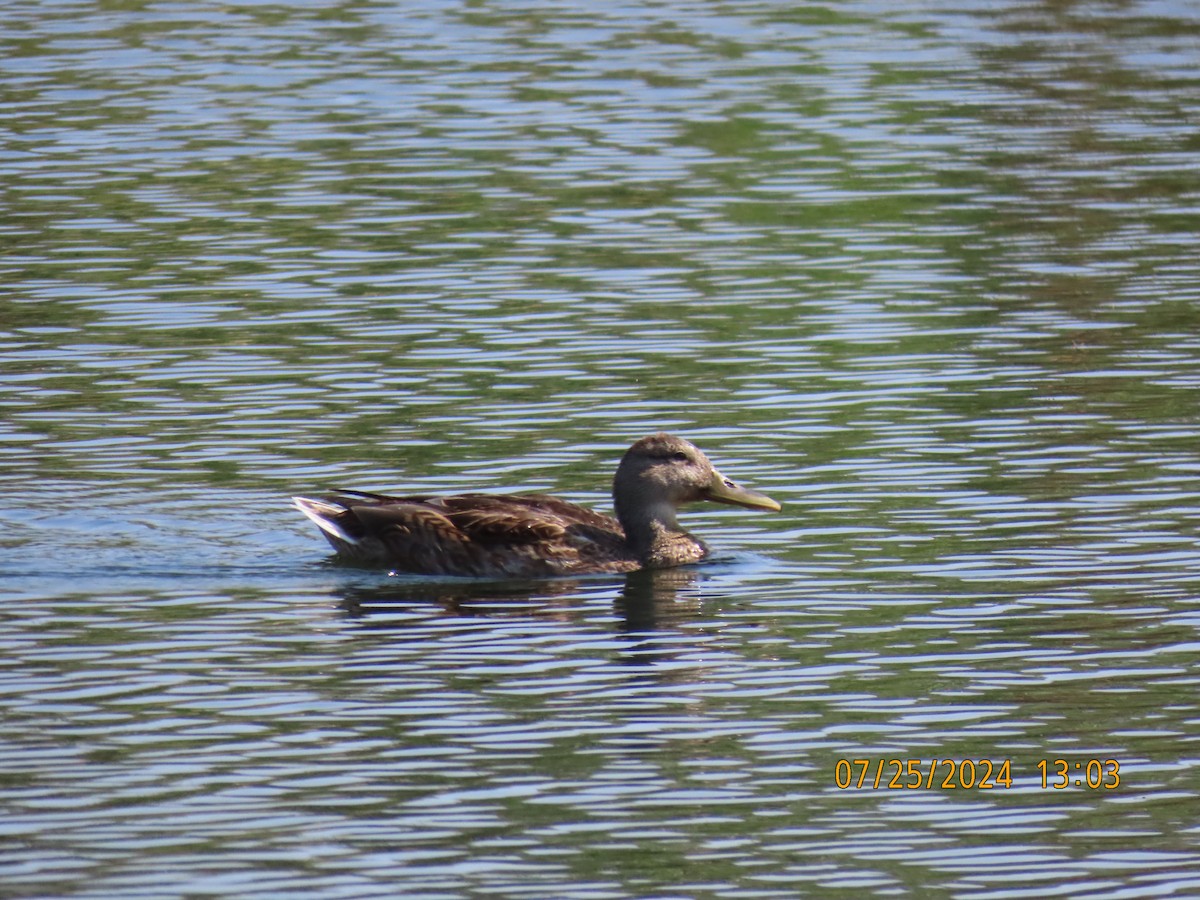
x,y
533,536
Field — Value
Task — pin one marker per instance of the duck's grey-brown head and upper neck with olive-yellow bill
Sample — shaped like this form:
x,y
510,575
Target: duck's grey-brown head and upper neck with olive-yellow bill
x,y
663,472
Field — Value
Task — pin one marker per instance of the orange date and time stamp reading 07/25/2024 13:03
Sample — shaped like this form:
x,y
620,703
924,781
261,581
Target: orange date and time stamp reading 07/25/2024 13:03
x,y
893,775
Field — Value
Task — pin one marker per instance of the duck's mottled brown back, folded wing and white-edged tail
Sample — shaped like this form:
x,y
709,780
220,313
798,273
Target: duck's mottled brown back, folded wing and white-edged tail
x,y
479,536
